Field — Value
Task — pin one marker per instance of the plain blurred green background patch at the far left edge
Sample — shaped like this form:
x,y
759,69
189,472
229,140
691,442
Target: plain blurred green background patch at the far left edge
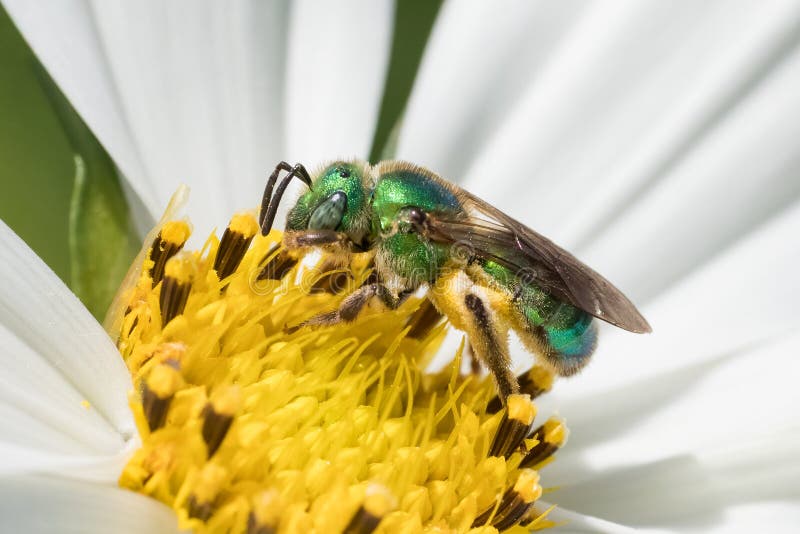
x,y
35,155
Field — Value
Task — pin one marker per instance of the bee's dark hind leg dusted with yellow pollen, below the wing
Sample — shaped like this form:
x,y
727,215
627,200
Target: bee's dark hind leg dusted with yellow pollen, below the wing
x,y
490,347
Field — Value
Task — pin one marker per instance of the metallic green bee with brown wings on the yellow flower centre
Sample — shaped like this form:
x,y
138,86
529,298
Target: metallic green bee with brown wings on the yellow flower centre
x,y
485,271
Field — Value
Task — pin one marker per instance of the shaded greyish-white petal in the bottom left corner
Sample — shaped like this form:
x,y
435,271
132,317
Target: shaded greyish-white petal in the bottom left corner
x,y
38,505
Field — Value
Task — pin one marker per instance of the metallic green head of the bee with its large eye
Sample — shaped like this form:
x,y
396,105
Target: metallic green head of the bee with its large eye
x,y
337,200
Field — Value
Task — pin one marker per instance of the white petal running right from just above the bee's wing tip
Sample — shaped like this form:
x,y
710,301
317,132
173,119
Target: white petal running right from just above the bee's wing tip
x,y
743,170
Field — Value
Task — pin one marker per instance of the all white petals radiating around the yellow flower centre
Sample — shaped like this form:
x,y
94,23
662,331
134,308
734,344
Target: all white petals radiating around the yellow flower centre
x,y
655,140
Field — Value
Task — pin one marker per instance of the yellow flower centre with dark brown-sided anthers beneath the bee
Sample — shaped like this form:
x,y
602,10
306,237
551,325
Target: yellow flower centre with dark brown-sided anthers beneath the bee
x,y
252,422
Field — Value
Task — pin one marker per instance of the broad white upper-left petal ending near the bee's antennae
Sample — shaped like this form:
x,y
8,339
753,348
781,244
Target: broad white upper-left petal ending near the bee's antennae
x,y
177,92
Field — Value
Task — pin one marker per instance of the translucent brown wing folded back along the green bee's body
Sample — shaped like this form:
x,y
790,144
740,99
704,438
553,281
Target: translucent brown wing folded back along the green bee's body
x,y
493,235
